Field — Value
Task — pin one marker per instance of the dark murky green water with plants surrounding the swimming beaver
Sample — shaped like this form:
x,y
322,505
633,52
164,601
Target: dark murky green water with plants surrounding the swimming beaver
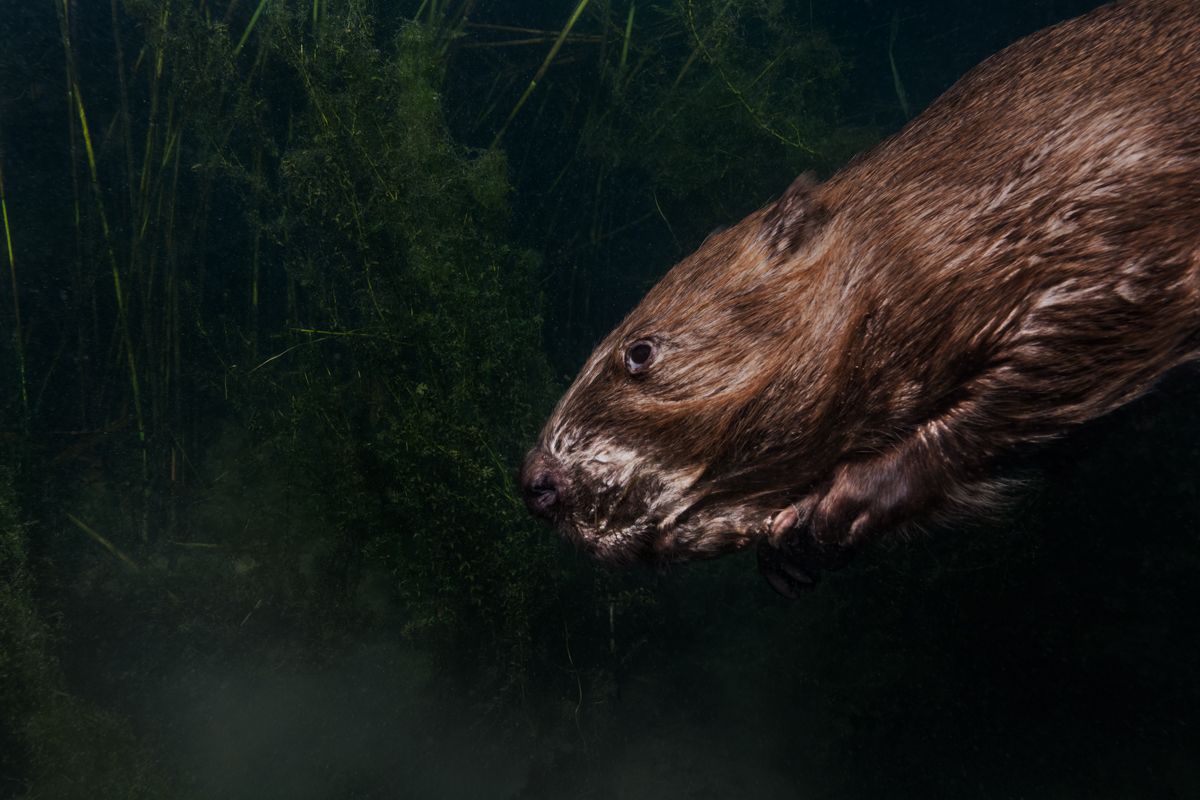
x,y
296,286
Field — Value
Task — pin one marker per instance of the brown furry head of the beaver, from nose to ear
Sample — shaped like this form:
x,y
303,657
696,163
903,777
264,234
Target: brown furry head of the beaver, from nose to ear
x,y
668,446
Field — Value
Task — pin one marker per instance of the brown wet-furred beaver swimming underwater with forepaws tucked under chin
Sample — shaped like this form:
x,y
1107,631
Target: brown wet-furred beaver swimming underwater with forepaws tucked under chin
x,y
855,358
